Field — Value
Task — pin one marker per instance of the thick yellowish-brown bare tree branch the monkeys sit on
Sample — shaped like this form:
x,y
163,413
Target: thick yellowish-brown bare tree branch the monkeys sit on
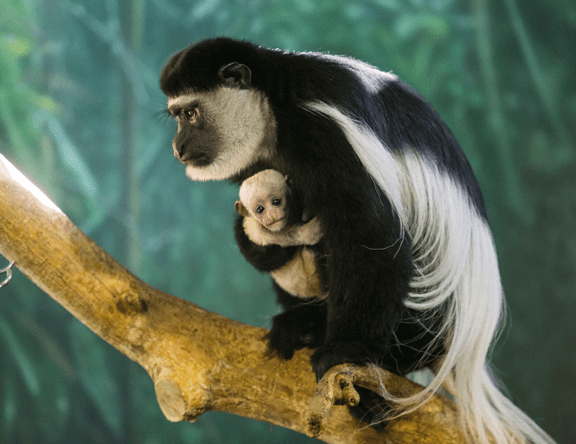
x,y
198,360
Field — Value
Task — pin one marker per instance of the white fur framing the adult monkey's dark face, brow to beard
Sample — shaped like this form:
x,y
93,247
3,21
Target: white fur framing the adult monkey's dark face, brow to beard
x,y
244,124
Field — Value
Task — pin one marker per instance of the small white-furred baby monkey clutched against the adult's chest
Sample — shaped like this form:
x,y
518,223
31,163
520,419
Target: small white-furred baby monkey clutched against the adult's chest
x,y
271,218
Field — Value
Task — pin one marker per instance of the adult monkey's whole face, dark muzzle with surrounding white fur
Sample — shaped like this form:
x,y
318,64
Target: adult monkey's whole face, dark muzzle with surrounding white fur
x,y
222,131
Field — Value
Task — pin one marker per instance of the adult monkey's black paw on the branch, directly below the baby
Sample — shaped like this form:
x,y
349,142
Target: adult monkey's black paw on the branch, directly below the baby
x,y
298,327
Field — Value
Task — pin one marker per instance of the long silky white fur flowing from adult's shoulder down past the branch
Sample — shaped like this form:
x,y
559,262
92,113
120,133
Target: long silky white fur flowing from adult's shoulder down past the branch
x,y
457,269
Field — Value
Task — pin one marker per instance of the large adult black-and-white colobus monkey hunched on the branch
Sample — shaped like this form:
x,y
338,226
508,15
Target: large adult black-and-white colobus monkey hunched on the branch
x,y
404,223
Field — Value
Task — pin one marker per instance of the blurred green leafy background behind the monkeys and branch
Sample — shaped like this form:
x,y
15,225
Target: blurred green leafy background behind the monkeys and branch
x,y
79,103
